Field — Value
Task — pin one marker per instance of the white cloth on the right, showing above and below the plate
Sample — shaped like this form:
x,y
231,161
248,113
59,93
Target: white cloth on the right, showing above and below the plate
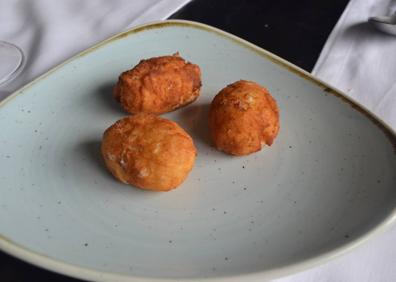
x,y
362,62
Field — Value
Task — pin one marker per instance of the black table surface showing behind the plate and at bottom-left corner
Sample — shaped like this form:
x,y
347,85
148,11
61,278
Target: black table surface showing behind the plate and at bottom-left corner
x,y
293,30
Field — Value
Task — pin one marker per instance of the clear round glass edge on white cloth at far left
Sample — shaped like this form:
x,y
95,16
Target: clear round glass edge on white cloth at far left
x,y
12,61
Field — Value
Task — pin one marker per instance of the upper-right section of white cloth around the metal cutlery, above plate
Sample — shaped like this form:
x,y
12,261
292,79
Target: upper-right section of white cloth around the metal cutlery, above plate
x,y
362,61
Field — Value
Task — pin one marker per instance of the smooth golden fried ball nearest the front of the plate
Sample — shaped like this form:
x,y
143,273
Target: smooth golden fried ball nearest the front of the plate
x,y
148,152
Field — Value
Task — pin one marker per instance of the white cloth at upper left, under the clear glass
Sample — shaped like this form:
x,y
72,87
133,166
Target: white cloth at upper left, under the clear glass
x,y
50,32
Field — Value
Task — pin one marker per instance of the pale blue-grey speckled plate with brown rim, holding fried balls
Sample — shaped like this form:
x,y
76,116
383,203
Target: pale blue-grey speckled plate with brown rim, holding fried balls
x,y
326,185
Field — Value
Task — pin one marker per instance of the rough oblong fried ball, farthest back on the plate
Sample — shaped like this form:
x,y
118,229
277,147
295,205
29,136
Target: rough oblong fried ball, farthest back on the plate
x,y
158,85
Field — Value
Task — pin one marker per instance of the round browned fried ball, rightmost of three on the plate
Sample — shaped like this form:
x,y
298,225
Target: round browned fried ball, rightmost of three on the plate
x,y
243,116
